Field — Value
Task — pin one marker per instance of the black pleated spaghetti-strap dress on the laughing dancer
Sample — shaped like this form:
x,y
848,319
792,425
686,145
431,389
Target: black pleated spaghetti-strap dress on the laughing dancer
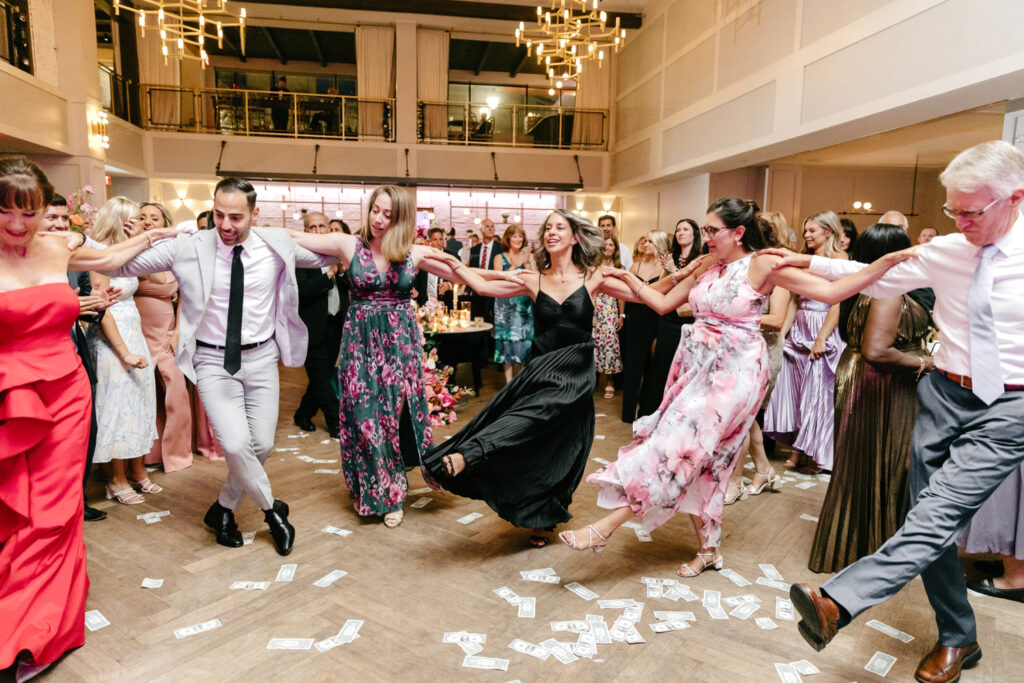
x,y
527,451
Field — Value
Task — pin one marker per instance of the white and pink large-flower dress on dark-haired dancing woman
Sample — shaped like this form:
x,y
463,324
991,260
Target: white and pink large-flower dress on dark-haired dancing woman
x,y
684,454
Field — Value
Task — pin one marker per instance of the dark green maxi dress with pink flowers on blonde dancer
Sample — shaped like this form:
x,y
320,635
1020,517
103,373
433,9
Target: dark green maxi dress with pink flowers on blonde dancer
x,y
381,377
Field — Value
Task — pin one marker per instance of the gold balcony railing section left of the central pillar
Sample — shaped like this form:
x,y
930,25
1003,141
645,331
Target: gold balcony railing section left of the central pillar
x,y
233,112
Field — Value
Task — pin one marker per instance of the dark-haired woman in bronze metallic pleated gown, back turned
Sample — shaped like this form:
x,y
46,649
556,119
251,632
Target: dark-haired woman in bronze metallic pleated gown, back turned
x,y
876,411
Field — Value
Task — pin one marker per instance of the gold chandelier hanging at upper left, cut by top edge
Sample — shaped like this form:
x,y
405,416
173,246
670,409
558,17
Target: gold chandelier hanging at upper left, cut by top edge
x,y
183,23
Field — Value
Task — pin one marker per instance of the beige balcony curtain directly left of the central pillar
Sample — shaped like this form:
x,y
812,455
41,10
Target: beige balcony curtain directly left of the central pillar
x,y
375,79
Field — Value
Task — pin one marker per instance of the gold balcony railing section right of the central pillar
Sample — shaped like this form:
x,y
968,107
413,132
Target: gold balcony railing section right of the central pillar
x,y
513,125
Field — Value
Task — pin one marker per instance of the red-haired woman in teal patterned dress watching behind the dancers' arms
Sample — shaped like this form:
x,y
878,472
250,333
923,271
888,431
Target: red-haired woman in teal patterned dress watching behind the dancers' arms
x,y
514,317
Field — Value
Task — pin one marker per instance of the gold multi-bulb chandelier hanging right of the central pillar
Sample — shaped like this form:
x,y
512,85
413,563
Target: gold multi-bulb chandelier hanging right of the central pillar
x,y
569,33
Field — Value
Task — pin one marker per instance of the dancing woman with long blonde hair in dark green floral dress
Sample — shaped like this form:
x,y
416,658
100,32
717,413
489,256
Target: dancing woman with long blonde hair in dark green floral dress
x,y
385,415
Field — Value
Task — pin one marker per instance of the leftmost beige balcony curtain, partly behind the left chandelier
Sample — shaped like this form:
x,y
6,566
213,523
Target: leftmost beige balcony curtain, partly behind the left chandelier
x,y
163,103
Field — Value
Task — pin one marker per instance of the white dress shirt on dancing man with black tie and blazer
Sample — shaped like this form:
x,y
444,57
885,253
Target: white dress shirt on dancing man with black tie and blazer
x,y
264,273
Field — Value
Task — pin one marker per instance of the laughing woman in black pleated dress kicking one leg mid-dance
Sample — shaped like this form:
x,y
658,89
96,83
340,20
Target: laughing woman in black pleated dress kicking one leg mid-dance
x,y
525,454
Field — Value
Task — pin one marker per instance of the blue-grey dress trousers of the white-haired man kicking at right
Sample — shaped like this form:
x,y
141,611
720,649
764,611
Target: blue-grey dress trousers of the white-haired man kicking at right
x,y
963,451
